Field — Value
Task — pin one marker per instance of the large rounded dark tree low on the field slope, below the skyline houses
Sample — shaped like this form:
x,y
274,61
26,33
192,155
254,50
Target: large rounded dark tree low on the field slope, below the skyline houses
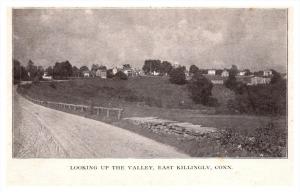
x,y
200,90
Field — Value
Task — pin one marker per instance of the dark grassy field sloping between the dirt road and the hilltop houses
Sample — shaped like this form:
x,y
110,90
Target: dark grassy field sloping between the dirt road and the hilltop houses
x,y
155,96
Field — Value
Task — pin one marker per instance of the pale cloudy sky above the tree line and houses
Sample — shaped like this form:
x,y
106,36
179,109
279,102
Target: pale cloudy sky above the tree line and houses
x,y
254,39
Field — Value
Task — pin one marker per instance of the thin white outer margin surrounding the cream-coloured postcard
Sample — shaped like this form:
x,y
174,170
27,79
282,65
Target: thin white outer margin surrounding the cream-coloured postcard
x,y
4,79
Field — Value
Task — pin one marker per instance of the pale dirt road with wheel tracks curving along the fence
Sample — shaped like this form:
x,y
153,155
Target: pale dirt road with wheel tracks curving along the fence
x,y
40,132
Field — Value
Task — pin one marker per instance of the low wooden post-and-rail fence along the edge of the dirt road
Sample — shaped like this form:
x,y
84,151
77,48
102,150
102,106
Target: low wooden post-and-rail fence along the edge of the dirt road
x,y
109,112
